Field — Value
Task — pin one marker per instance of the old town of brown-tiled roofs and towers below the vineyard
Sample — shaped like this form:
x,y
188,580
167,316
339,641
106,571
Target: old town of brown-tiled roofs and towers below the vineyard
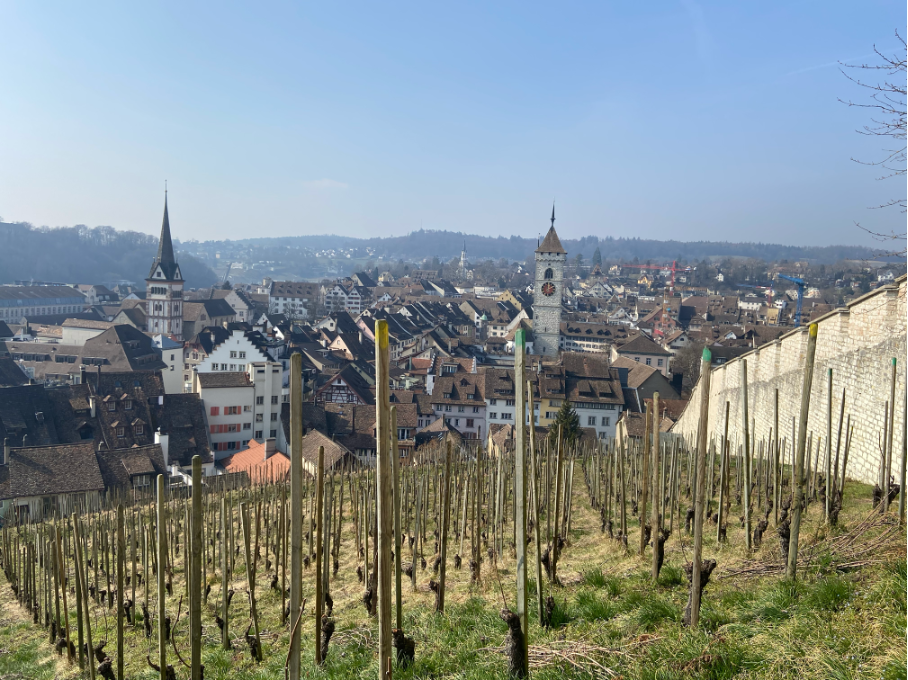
x,y
110,384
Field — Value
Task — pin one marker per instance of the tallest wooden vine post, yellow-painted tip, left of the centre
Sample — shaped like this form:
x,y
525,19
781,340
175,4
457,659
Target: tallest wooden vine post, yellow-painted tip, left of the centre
x,y
383,497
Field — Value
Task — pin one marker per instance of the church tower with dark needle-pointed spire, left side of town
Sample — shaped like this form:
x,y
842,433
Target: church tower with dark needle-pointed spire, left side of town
x,y
164,288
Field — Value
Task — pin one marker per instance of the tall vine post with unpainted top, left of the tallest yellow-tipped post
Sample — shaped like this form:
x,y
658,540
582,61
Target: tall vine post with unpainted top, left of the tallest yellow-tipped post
x,y
296,516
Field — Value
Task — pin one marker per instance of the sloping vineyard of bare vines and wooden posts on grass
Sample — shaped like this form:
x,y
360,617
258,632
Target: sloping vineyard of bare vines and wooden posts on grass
x,y
646,557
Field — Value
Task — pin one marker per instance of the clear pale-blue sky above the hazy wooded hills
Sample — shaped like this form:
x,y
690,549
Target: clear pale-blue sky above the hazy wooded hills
x,y
688,120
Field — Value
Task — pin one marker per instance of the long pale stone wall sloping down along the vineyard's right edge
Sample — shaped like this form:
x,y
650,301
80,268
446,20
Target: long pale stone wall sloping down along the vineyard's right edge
x,y
858,343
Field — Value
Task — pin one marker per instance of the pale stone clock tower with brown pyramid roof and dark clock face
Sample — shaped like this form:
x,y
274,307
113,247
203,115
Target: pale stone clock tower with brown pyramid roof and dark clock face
x,y
547,291
